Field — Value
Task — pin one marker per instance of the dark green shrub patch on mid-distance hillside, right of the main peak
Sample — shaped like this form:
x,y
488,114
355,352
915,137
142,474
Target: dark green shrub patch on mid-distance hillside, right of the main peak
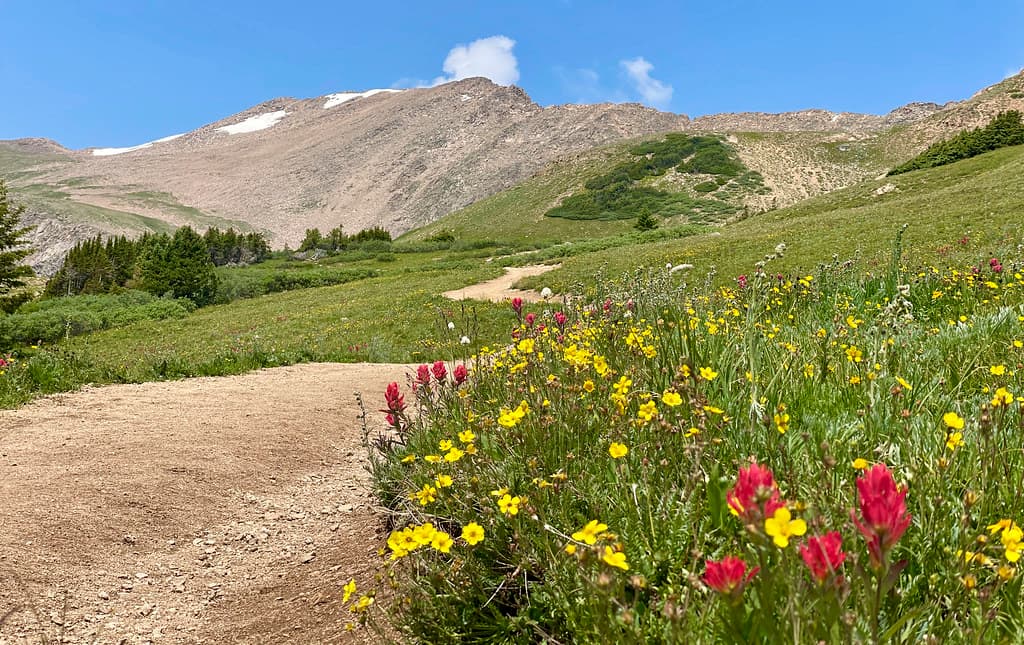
x,y
622,193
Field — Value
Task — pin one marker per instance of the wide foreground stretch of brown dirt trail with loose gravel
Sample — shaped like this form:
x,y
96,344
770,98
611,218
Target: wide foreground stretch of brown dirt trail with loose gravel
x,y
216,510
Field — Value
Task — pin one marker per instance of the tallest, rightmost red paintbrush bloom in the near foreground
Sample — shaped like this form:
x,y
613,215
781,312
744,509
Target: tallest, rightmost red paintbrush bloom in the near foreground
x,y
883,512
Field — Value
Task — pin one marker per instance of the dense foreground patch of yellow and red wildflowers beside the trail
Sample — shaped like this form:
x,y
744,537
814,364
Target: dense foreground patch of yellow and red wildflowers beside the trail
x,y
585,484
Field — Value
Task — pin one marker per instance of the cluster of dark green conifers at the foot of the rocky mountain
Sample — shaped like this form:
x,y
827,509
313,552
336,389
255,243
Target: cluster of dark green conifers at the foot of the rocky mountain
x,y
181,266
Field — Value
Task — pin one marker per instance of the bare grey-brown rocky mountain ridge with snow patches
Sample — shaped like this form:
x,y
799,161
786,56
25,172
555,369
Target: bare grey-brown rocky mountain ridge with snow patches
x,y
403,159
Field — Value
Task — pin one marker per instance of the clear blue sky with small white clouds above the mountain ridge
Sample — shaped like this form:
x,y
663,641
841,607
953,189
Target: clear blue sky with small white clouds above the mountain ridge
x,y
119,73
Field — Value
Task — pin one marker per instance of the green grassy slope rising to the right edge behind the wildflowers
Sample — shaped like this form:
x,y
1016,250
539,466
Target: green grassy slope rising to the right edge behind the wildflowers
x,y
983,198
